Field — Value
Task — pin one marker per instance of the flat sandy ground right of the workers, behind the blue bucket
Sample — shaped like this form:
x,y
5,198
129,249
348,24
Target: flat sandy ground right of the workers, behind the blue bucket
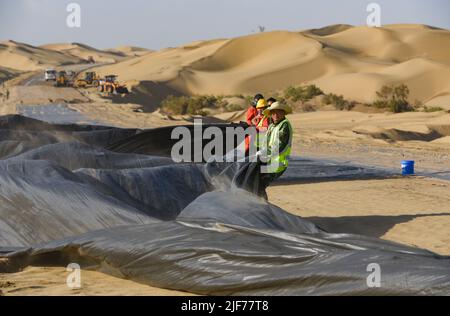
x,y
377,139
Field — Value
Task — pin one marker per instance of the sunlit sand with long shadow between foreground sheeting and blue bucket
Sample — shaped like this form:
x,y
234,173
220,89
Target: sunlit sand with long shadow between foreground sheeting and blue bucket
x,y
413,211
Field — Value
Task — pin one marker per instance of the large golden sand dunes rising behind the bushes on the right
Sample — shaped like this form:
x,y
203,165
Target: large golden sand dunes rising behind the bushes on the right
x,y
352,61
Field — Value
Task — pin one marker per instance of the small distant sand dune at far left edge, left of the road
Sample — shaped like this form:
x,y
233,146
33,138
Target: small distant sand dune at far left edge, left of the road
x,y
26,57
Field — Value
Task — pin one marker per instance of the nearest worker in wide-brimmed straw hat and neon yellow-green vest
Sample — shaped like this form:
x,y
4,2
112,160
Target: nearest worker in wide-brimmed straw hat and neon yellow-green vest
x,y
276,147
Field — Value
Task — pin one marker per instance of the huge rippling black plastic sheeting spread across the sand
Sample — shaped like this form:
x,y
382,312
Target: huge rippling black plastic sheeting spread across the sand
x,y
67,197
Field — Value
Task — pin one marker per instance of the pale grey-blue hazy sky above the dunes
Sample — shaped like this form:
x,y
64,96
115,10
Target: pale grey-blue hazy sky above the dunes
x,y
167,23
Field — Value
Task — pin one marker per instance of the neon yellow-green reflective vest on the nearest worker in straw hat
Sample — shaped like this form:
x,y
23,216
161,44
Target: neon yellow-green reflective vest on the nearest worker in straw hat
x,y
278,162
